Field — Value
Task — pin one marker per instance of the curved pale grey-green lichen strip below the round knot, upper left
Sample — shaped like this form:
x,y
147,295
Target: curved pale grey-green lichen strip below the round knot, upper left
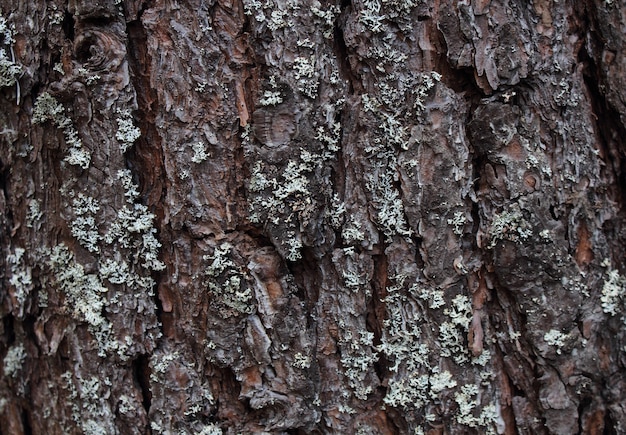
x,y
48,109
